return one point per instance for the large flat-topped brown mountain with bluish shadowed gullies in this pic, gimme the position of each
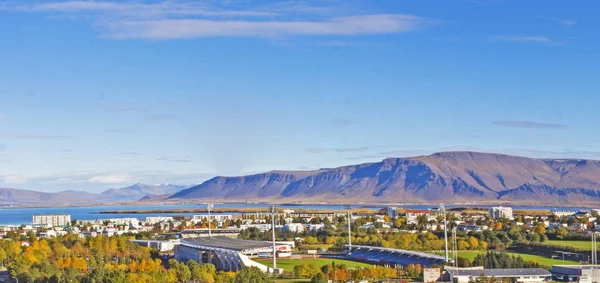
(440, 177)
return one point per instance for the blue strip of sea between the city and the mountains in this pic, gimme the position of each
(15, 216)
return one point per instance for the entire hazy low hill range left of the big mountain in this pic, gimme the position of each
(135, 192)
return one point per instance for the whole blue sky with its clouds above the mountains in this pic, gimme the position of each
(96, 95)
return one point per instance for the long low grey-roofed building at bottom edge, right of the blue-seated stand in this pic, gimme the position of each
(471, 274)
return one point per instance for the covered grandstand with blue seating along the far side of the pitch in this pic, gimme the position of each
(392, 257)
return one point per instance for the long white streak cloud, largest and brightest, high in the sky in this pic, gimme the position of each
(195, 28)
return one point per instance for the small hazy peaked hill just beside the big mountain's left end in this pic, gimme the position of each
(138, 191)
